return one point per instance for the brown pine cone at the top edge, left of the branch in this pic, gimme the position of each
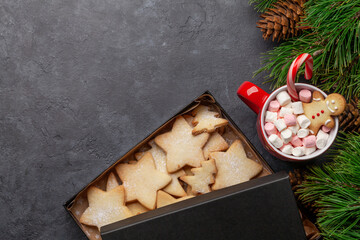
(281, 19)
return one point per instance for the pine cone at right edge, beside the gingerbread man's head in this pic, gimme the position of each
(350, 118)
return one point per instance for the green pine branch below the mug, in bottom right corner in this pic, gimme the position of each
(334, 188)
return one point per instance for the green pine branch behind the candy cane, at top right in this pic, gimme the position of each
(334, 42)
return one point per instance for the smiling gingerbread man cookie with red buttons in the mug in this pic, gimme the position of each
(320, 110)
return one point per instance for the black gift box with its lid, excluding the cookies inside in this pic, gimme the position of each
(262, 208)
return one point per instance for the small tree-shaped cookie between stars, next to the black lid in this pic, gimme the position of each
(202, 178)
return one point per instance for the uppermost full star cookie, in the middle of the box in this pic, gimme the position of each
(181, 146)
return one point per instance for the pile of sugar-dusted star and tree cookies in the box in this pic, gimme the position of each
(192, 158)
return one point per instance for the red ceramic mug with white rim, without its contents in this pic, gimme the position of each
(258, 100)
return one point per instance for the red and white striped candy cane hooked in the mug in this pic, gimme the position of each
(307, 58)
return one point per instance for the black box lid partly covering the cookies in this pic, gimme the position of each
(263, 208)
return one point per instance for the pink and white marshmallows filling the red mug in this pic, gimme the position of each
(287, 126)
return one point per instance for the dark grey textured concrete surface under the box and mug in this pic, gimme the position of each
(81, 82)
